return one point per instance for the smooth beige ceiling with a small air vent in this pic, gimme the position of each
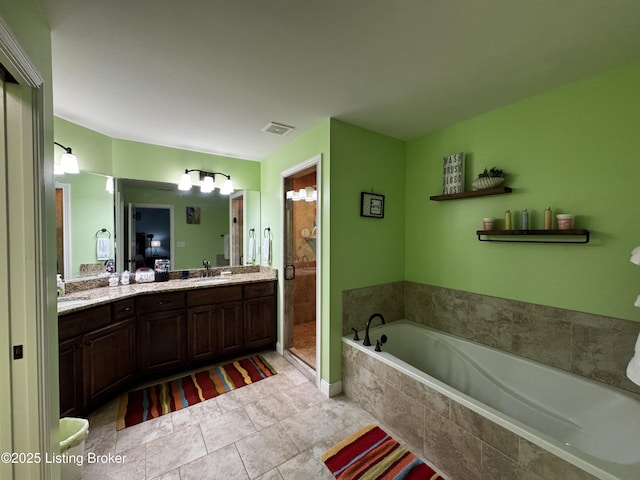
(208, 75)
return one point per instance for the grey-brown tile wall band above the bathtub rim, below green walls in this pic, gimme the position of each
(592, 346)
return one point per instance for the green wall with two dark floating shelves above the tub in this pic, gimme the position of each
(572, 149)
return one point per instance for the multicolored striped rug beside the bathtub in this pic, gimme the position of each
(371, 454)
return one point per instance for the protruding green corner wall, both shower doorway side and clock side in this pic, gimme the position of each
(355, 251)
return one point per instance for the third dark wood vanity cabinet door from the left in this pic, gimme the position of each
(161, 341)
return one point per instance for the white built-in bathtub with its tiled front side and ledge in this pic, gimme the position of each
(489, 414)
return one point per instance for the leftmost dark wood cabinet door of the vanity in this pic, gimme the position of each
(70, 376)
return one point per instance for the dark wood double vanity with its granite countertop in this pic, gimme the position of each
(111, 338)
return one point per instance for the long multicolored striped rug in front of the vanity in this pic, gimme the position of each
(152, 402)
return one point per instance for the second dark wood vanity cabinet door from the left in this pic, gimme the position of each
(108, 360)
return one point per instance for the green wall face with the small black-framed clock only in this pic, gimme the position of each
(364, 251)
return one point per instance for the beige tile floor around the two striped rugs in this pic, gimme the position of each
(275, 429)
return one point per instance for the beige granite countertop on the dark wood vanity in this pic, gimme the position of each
(97, 296)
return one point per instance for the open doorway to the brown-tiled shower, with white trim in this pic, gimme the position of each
(301, 309)
